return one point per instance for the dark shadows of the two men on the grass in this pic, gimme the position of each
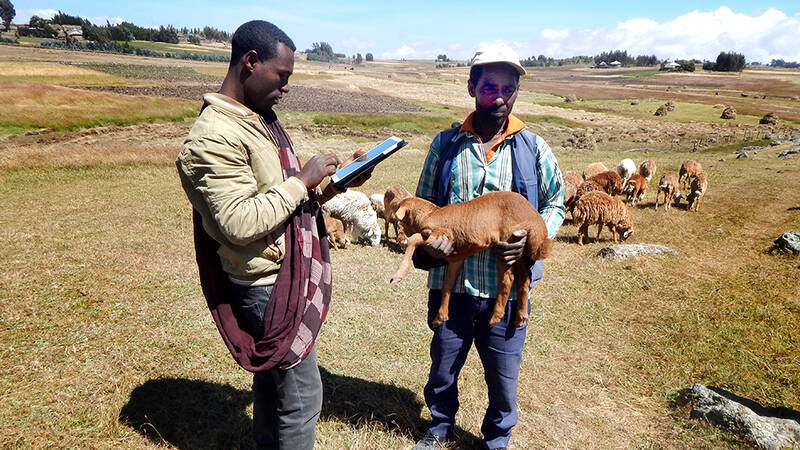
(196, 414)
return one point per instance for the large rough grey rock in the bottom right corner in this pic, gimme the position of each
(729, 411)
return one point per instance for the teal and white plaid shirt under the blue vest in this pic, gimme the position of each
(474, 176)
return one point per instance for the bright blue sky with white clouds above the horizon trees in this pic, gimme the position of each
(424, 29)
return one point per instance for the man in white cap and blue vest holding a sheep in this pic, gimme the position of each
(491, 151)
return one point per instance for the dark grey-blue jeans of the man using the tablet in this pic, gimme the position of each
(286, 403)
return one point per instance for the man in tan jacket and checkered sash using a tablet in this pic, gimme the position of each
(259, 235)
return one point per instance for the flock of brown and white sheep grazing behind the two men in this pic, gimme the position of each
(590, 198)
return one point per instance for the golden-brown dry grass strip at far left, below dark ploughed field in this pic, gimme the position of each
(33, 106)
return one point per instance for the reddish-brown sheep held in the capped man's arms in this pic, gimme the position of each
(474, 226)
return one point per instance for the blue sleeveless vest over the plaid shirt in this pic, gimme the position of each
(525, 180)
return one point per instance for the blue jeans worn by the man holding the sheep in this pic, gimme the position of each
(500, 351)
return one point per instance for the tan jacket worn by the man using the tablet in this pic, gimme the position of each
(230, 169)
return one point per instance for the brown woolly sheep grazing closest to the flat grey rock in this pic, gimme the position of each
(601, 209)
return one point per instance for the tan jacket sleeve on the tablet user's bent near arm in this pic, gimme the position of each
(220, 173)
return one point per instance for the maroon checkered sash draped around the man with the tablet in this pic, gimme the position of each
(300, 298)
